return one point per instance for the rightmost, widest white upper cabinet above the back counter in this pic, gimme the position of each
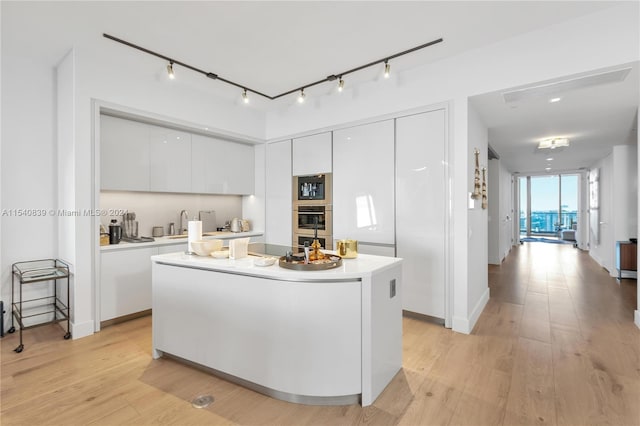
(221, 167)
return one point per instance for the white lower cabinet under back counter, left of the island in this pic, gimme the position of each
(125, 282)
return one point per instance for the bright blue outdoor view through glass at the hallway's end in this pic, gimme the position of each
(554, 204)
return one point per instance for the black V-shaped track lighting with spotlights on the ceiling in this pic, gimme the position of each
(245, 99)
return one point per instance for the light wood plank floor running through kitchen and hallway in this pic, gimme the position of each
(555, 345)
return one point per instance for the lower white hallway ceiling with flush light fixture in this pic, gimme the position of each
(593, 117)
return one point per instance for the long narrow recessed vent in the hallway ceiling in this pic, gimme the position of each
(547, 89)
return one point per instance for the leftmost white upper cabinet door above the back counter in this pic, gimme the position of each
(124, 154)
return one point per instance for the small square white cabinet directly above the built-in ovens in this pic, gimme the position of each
(312, 154)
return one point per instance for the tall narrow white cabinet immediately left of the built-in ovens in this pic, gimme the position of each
(278, 193)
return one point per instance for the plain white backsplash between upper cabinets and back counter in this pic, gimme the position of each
(160, 209)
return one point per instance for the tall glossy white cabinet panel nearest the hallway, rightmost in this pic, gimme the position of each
(421, 208)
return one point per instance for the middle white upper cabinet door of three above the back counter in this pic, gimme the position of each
(170, 160)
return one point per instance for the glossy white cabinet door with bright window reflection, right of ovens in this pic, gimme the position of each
(363, 183)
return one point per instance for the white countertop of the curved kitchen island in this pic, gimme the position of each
(357, 268)
